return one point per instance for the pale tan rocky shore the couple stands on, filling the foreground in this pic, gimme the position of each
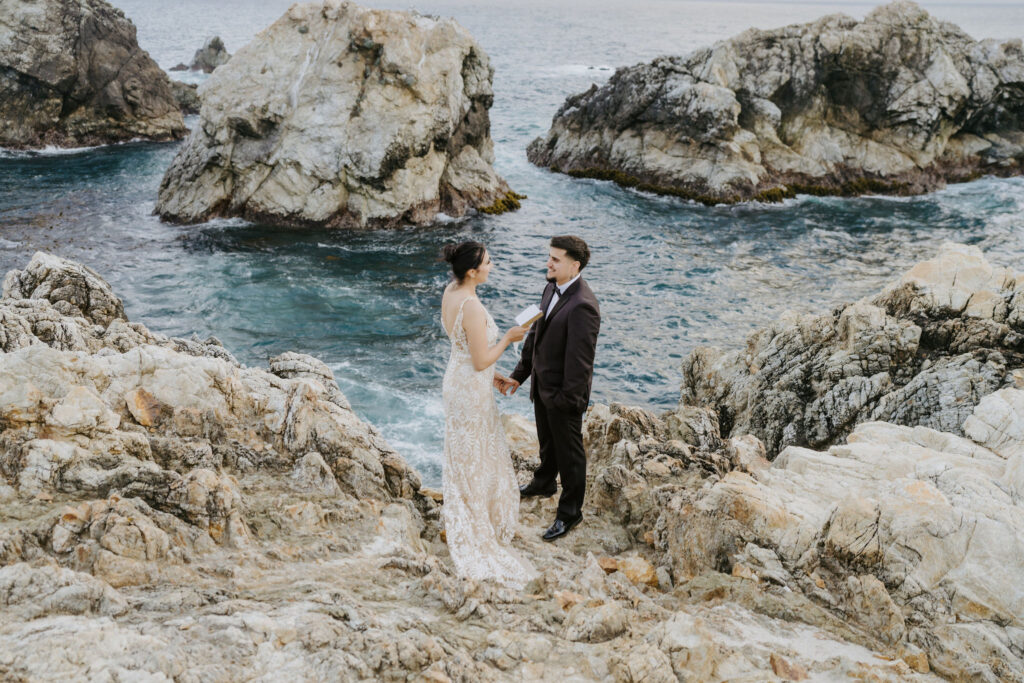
(168, 514)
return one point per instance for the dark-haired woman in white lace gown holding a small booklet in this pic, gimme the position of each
(482, 496)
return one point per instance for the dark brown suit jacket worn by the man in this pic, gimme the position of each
(559, 352)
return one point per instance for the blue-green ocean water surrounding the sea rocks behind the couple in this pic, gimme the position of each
(671, 275)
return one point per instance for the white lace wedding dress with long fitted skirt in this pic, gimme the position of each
(482, 497)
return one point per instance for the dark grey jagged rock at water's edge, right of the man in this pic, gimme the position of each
(922, 353)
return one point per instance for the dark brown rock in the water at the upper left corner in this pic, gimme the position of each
(72, 74)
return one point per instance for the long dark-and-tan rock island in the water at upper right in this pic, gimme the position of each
(900, 103)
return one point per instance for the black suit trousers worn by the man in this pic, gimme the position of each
(563, 455)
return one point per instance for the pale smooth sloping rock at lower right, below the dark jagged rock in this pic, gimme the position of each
(903, 526)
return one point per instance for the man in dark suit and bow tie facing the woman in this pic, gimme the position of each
(559, 357)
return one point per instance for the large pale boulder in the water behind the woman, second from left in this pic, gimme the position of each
(343, 117)
